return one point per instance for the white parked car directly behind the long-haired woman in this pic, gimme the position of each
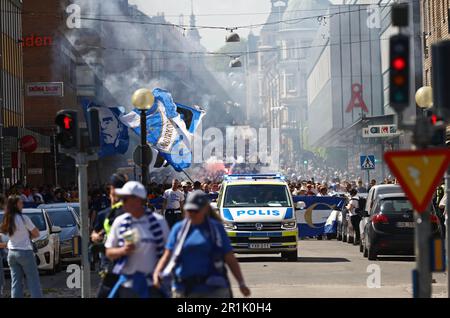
(48, 257)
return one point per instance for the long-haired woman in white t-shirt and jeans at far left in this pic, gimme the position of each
(22, 262)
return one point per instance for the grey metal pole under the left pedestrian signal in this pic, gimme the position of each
(82, 165)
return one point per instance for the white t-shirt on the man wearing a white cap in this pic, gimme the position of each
(144, 258)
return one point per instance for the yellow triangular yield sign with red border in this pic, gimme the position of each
(419, 173)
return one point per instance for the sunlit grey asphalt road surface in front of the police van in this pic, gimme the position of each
(324, 269)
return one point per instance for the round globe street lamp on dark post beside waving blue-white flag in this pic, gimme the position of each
(143, 100)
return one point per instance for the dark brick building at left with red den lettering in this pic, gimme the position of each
(49, 63)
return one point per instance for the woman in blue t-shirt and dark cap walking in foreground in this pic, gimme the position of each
(196, 253)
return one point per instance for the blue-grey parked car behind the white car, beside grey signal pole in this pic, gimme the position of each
(66, 219)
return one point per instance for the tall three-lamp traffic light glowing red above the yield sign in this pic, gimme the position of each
(399, 72)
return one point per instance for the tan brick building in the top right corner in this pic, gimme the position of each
(435, 25)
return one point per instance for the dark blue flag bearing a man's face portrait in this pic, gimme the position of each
(115, 139)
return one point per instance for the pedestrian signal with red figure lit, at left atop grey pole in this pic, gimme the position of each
(68, 133)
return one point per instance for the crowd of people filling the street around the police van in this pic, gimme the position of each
(178, 249)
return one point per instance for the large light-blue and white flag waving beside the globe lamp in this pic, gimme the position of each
(170, 128)
